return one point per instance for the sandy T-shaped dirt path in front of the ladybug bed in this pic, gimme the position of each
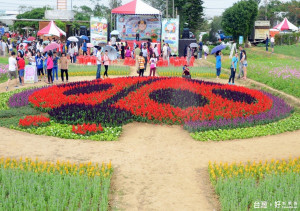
(157, 167)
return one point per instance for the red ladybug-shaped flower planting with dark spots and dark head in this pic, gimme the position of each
(120, 100)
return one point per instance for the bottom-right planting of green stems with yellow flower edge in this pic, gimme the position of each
(270, 185)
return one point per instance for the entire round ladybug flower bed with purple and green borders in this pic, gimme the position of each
(96, 110)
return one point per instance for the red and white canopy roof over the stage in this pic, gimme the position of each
(136, 7)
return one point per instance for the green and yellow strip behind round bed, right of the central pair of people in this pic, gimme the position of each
(200, 72)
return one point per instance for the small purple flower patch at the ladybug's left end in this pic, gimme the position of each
(21, 99)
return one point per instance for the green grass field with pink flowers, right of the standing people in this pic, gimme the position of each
(271, 69)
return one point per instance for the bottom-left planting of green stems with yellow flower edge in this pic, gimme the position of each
(39, 185)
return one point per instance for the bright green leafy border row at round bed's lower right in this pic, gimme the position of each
(289, 124)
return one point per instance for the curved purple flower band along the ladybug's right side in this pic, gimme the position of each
(279, 111)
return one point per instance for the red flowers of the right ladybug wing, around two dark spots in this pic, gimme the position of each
(140, 104)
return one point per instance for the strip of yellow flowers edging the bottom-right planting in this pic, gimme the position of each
(253, 169)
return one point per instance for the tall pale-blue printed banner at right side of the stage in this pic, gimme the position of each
(170, 33)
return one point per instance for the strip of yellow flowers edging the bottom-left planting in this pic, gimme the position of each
(62, 168)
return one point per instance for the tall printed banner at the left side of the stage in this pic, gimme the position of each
(98, 30)
